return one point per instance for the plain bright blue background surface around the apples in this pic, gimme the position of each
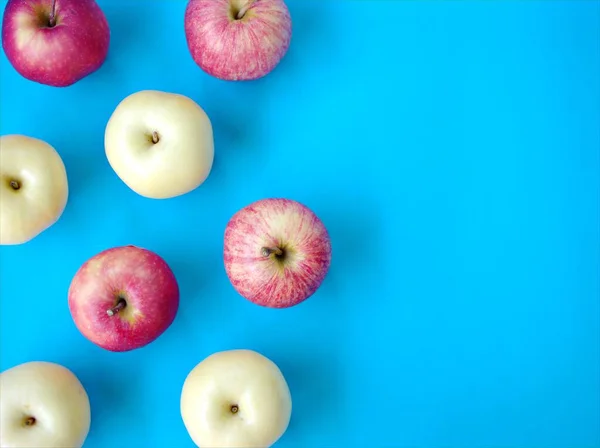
(451, 148)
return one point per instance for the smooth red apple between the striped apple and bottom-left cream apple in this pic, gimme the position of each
(143, 279)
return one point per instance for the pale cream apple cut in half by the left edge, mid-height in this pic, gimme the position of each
(33, 188)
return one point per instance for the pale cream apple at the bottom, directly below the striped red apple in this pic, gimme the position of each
(236, 399)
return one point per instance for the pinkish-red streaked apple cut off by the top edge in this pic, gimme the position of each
(237, 40)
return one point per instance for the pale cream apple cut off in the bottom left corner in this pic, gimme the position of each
(42, 405)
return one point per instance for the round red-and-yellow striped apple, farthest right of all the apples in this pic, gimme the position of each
(277, 252)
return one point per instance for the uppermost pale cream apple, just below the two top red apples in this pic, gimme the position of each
(160, 144)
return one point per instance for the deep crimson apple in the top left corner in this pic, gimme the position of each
(55, 42)
